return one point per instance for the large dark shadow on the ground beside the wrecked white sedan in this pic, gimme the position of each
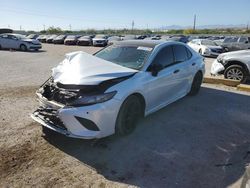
(199, 141)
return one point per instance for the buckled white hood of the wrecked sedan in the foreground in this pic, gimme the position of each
(80, 68)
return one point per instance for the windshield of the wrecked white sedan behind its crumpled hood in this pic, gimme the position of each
(132, 57)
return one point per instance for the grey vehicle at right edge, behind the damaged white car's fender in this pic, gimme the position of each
(236, 43)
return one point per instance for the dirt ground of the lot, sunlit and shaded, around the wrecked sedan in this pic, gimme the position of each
(200, 141)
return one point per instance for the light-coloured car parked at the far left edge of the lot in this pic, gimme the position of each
(18, 42)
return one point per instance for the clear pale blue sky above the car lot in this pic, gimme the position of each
(117, 14)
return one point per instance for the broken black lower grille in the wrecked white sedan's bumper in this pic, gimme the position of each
(50, 116)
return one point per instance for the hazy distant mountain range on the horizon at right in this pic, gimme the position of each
(176, 27)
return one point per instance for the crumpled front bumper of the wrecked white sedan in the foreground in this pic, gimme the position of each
(86, 122)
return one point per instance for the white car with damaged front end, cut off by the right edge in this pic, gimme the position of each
(233, 65)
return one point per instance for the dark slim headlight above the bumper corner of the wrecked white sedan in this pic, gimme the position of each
(93, 99)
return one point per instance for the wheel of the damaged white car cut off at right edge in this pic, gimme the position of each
(236, 72)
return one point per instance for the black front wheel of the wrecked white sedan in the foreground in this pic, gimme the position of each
(128, 116)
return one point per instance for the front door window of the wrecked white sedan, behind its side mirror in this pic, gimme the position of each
(165, 57)
